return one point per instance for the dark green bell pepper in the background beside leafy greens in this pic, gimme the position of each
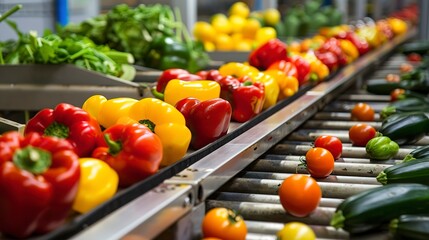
(166, 52)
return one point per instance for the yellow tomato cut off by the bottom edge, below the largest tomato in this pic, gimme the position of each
(296, 231)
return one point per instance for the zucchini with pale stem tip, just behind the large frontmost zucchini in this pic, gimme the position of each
(416, 171)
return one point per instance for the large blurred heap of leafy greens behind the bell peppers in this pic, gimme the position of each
(153, 34)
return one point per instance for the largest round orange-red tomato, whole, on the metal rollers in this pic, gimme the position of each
(299, 194)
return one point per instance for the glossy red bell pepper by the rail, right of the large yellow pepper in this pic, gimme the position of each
(208, 120)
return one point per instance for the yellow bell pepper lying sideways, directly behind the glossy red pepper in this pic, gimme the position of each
(203, 90)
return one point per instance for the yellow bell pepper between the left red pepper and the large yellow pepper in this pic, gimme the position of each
(107, 112)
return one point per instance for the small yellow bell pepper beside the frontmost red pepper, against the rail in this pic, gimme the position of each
(98, 183)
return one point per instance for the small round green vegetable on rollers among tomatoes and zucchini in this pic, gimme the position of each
(381, 148)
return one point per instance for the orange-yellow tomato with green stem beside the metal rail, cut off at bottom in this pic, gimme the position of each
(223, 223)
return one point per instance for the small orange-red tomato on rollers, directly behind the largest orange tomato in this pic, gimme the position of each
(320, 162)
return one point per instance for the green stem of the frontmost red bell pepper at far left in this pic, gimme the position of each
(32, 159)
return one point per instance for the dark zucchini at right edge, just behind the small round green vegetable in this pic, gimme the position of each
(405, 128)
